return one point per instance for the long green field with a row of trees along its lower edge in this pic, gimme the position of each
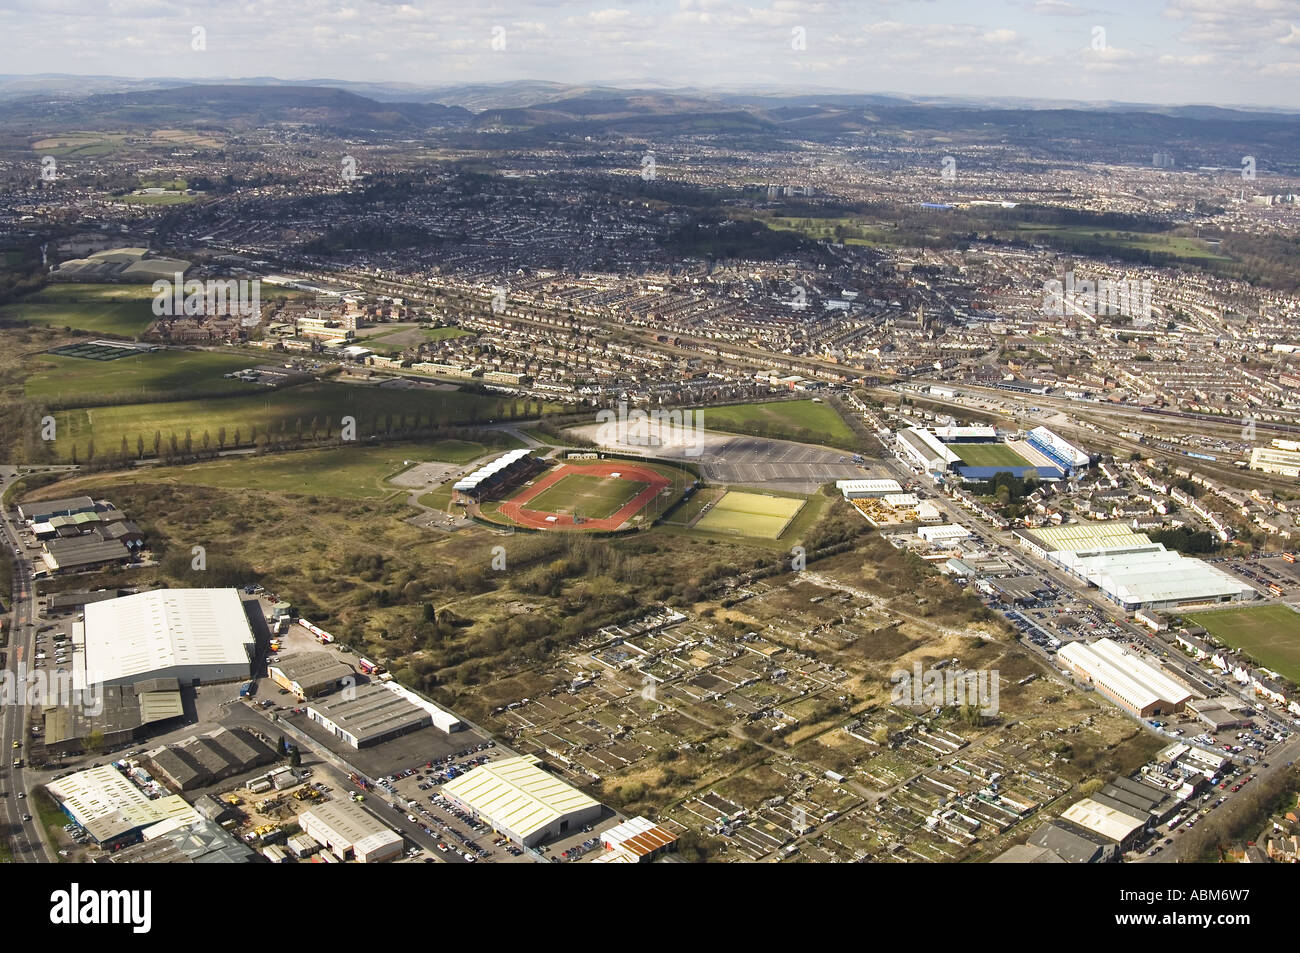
(280, 411)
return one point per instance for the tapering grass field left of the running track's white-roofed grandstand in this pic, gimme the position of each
(358, 473)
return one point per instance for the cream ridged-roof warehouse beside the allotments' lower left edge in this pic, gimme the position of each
(522, 802)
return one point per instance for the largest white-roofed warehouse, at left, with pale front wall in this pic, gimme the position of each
(196, 636)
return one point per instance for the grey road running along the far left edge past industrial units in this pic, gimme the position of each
(27, 841)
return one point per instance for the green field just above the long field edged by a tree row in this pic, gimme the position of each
(140, 375)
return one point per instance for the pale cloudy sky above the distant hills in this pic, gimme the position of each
(1232, 53)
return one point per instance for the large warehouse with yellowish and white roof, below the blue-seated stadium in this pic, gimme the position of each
(1130, 570)
